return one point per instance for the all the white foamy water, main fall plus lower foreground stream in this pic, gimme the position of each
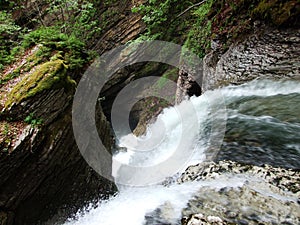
(190, 127)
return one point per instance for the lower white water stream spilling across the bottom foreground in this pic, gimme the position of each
(131, 205)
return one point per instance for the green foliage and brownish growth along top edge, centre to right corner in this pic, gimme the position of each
(225, 20)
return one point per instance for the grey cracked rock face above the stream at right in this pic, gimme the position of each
(269, 53)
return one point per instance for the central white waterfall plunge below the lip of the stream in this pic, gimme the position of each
(171, 135)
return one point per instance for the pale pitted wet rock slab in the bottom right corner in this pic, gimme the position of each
(254, 195)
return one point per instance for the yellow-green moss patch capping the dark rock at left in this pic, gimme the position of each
(50, 75)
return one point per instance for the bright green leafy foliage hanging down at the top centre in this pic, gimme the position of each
(161, 18)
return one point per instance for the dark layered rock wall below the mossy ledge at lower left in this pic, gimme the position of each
(41, 166)
